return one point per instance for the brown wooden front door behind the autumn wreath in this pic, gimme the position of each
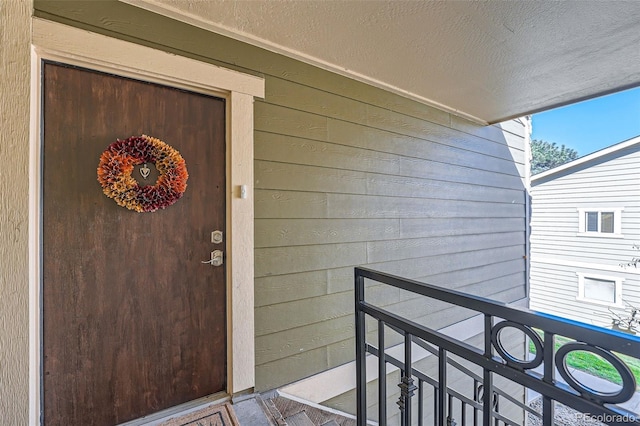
(133, 321)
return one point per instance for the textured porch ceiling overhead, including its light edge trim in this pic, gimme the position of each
(488, 61)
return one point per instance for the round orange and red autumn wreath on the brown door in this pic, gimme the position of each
(117, 163)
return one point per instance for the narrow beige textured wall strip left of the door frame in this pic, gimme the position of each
(14, 187)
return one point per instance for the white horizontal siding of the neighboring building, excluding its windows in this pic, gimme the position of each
(559, 252)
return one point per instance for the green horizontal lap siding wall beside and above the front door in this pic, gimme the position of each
(347, 175)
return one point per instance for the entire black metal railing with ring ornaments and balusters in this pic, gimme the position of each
(449, 406)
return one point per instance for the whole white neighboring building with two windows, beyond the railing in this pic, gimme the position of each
(585, 222)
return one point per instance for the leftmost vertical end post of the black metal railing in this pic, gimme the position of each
(361, 373)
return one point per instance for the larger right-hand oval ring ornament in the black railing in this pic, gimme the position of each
(628, 380)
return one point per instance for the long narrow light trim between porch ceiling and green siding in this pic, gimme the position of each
(181, 15)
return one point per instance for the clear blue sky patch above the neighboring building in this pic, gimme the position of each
(591, 125)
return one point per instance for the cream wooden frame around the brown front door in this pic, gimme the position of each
(62, 43)
